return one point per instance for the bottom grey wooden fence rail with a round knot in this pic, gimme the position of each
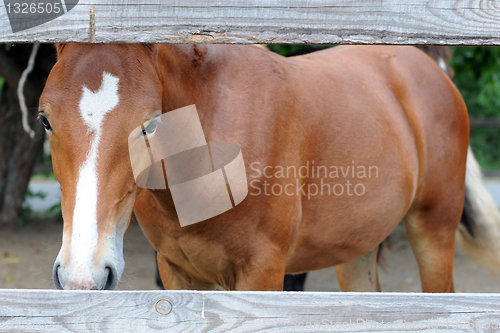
(218, 311)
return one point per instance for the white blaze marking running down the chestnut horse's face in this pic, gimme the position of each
(93, 108)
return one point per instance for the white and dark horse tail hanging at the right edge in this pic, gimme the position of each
(478, 234)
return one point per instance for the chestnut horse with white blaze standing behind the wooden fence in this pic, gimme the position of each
(384, 124)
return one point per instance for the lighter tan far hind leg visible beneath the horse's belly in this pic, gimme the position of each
(360, 274)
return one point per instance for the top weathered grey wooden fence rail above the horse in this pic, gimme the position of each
(451, 22)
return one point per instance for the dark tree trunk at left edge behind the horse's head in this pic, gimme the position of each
(18, 151)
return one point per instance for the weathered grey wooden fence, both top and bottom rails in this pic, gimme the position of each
(443, 22)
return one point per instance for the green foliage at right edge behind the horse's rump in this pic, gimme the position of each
(477, 76)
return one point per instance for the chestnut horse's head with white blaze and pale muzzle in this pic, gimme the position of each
(94, 97)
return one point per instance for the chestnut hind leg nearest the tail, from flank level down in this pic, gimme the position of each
(433, 243)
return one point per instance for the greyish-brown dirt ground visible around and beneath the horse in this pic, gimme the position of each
(27, 255)
